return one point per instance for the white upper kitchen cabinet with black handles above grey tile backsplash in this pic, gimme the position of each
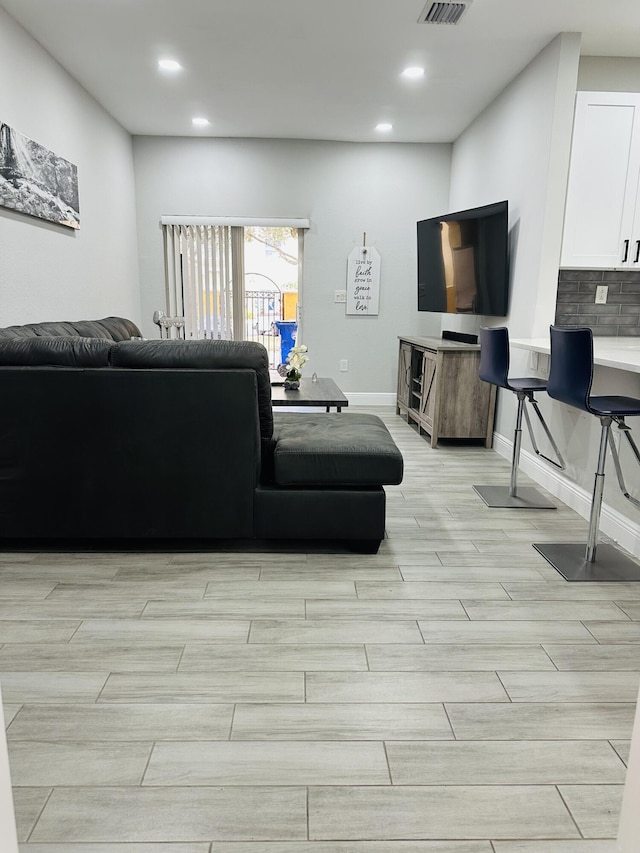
(603, 181)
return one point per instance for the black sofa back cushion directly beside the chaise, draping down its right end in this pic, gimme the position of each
(203, 355)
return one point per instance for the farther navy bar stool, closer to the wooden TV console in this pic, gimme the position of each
(494, 368)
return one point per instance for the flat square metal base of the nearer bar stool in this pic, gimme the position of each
(569, 559)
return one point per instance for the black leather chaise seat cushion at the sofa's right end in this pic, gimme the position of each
(328, 449)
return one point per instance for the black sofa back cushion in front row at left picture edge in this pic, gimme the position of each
(55, 351)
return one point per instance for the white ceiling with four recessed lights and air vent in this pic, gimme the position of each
(312, 69)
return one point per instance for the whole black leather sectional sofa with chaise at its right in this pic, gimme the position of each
(105, 439)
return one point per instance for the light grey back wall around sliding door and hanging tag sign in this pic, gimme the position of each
(345, 189)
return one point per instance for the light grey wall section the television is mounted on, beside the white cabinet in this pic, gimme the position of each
(518, 149)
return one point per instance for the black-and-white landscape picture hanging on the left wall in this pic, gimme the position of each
(35, 181)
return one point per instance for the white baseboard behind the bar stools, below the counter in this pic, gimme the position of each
(612, 522)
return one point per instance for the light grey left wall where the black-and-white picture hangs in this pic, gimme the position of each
(48, 272)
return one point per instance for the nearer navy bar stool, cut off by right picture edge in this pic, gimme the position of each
(570, 381)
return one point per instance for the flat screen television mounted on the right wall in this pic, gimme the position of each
(463, 265)
